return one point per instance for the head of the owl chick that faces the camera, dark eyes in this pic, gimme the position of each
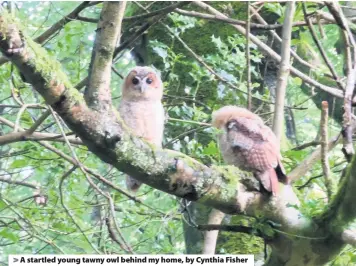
(142, 83)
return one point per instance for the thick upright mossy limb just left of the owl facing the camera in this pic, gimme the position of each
(97, 93)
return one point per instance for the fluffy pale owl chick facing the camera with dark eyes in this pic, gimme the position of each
(141, 108)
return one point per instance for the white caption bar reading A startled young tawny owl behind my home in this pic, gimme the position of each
(130, 260)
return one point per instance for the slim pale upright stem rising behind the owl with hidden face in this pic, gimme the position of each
(278, 118)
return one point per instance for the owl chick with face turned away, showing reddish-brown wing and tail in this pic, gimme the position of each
(246, 142)
